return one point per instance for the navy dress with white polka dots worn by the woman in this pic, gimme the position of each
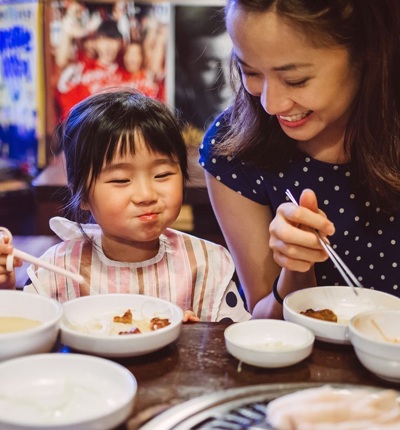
(366, 238)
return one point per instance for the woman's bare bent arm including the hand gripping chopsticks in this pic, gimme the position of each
(263, 248)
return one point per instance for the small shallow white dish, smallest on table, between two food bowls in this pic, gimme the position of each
(268, 342)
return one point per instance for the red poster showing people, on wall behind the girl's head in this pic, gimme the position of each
(99, 45)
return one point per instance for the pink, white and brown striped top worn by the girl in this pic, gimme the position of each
(193, 273)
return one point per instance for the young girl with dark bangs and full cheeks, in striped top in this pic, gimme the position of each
(126, 166)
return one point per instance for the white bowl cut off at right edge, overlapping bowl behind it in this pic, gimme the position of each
(375, 336)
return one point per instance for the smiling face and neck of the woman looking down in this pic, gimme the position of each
(309, 89)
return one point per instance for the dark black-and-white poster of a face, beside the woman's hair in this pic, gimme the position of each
(202, 56)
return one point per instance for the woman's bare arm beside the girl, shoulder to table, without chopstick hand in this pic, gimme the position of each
(245, 225)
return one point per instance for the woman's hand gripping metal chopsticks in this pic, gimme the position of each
(294, 244)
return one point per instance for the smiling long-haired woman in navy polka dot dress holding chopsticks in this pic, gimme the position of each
(317, 106)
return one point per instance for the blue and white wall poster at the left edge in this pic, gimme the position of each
(21, 85)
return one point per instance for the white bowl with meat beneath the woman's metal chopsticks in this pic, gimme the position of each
(342, 301)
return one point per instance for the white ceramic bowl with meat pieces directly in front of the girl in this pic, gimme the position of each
(83, 312)
